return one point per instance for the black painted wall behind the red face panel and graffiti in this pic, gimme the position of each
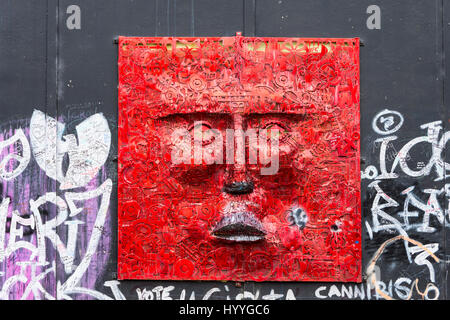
(73, 74)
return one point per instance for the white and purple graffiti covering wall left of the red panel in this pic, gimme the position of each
(34, 243)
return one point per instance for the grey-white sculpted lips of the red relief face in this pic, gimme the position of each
(239, 227)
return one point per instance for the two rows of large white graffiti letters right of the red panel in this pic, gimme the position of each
(417, 213)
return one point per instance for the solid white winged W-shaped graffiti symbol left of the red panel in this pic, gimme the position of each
(85, 157)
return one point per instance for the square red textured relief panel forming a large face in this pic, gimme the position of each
(307, 88)
